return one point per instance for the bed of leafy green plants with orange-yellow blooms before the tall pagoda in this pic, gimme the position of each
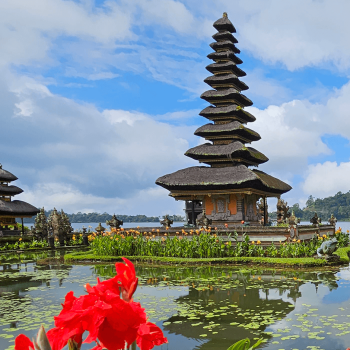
(200, 244)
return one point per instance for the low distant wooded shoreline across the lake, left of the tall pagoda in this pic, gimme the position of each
(97, 217)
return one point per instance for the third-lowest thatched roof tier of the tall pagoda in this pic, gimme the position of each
(233, 128)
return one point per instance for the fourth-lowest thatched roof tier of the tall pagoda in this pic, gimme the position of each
(229, 112)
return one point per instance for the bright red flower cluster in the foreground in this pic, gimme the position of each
(107, 312)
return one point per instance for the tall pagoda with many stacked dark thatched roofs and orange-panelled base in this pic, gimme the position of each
(226, 189)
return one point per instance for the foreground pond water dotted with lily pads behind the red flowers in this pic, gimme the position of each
(206, 308)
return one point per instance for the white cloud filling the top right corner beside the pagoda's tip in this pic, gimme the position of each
(297, 33)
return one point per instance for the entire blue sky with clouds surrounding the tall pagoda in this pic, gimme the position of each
(100, 98)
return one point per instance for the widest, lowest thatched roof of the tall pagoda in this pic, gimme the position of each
(226, 178)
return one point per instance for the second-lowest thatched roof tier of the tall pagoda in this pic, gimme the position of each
(233, 150)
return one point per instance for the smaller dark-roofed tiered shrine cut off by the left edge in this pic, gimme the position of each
(10, 210)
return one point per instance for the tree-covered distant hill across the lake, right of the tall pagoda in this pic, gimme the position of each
(339, 205)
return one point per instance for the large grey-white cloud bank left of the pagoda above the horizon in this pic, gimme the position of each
(81, 155)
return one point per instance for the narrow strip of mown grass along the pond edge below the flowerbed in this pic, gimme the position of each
(89, 256)
